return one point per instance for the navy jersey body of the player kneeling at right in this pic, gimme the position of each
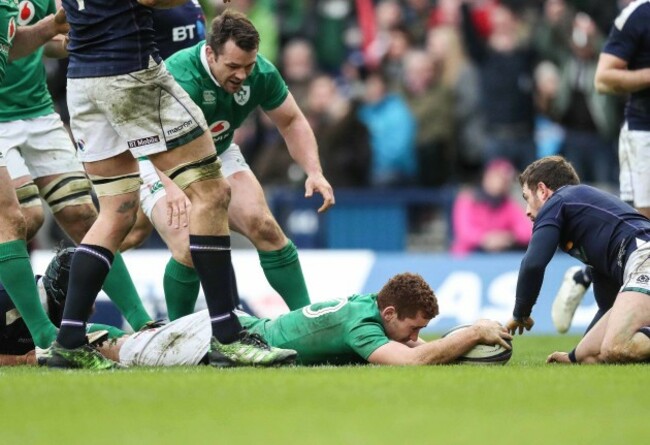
(595, 227)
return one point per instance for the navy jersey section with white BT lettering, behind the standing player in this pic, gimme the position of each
(178, 28)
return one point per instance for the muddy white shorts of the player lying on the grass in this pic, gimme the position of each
(182, 342)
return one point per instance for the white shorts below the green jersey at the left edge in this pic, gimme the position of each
(38, 147)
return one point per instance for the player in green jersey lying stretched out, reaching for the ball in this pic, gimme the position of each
(378, 328)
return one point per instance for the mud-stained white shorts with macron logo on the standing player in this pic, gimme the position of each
(145, 112)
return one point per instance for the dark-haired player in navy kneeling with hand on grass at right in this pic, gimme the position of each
(604, 233)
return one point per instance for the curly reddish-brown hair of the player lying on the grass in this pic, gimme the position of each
(409, 294)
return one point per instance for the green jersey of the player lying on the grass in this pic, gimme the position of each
(337, 332)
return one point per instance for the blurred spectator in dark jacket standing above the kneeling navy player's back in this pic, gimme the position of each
(591, 120)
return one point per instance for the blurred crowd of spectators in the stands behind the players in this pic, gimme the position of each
(425, 93)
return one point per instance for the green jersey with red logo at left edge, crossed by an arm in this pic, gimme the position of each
(24, 93)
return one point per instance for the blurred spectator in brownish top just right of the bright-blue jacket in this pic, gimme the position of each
(432, 105)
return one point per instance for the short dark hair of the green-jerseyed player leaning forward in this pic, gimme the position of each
(233, 25)
